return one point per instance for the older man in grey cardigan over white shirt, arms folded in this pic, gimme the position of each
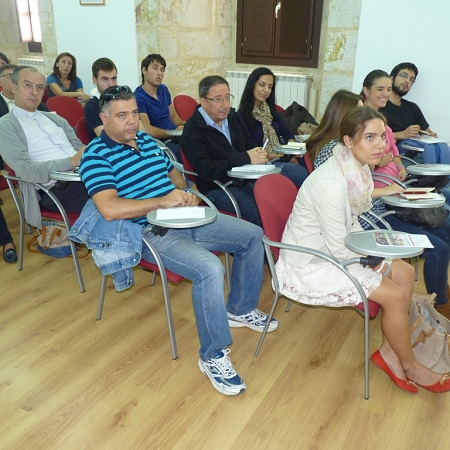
(33, 143)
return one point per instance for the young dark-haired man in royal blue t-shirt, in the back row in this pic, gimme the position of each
(155, 105)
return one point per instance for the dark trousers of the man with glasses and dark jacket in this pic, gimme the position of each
(244, 198)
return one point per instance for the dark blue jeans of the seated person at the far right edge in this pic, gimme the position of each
(436, 259)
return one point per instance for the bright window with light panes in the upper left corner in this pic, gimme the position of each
(29, 25)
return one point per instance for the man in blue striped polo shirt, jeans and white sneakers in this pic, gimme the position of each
(127, 176)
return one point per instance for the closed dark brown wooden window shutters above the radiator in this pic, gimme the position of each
(281, 32)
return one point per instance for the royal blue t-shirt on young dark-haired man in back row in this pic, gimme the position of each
(156, 110)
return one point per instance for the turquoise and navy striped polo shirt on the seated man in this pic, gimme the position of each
(142, 174)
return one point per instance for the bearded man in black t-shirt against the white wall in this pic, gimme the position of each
(404, 117)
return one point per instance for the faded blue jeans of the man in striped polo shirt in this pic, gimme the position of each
(187, 252)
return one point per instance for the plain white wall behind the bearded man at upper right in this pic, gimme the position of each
(394, 31)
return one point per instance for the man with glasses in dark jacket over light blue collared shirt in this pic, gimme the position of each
(214, 141)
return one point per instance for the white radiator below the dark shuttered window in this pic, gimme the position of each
(289, 88)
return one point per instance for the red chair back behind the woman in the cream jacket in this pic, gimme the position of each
(275, 196)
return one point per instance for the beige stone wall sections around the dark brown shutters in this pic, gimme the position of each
(198, 38)
